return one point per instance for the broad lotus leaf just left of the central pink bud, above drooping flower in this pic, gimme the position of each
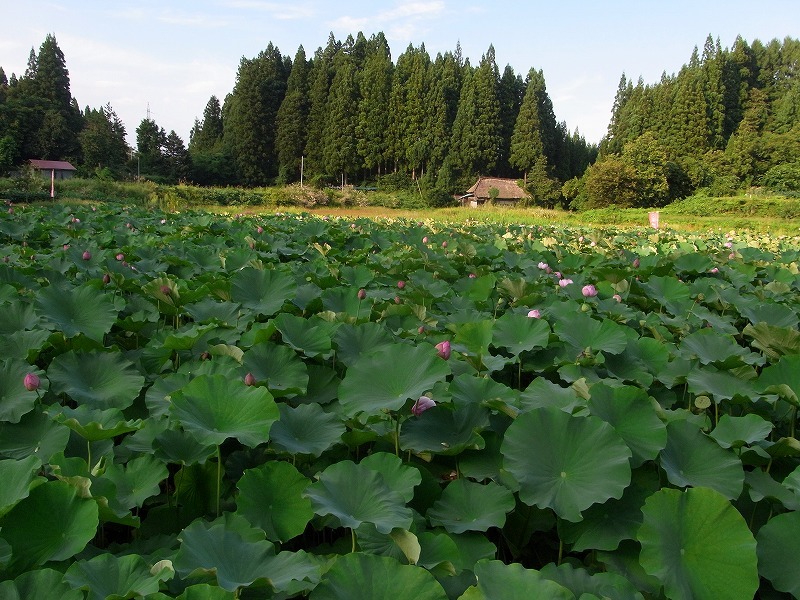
(387, 378)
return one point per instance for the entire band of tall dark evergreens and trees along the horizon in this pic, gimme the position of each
(728, 120)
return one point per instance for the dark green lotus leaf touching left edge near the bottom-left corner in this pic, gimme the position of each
(52, 523)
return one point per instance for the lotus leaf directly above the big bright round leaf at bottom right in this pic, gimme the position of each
(691, 458)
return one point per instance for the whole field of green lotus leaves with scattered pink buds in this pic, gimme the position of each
(289, 406)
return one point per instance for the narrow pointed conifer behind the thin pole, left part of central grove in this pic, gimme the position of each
(291, 119)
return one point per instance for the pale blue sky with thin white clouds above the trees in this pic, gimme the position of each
(174, 54)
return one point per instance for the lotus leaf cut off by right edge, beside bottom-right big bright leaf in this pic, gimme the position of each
(778, 540)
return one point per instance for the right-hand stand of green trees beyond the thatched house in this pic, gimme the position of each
(728, 121)
